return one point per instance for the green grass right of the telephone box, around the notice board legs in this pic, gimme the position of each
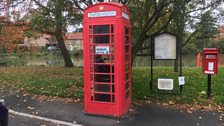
(195, 87)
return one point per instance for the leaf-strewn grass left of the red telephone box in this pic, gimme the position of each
(49, 81)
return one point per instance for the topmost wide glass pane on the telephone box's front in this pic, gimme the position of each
(100, 29)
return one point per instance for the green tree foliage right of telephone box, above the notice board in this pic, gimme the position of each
(177, 16)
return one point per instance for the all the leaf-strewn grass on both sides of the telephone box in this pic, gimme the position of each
(68, 83)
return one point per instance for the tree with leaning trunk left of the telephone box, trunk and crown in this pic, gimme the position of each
(48, 16)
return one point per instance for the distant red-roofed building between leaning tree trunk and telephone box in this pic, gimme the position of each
(74, 41)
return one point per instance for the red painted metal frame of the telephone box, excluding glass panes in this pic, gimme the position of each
(122, 60)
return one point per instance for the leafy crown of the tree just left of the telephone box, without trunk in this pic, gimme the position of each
(44, 18)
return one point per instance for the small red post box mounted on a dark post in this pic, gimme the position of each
(210, 60)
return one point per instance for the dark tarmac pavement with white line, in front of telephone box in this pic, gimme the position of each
(26, 111)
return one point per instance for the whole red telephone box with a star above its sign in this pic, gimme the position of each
(107, 59)
